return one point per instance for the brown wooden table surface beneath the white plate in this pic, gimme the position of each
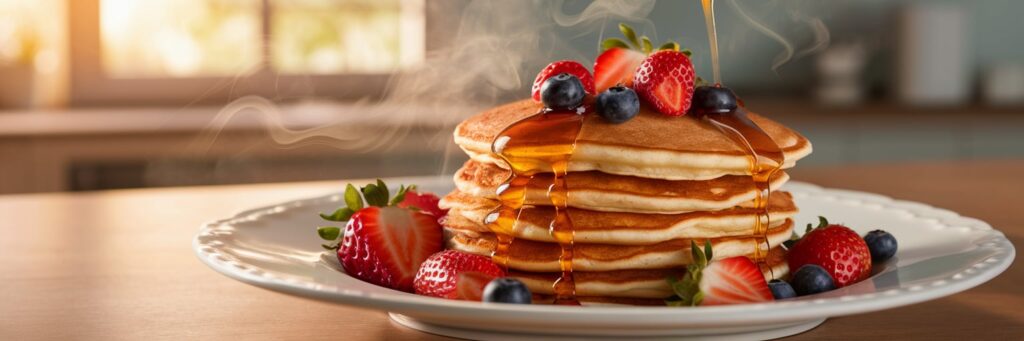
(119, 266)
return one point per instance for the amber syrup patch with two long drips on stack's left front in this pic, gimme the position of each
(540, 144)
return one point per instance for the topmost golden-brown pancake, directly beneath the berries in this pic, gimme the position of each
(650, 146)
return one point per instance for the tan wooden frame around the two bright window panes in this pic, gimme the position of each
(91, 87)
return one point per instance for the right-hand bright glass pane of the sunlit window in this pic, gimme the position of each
(355, 36)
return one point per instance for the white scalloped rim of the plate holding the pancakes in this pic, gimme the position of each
(784, 312)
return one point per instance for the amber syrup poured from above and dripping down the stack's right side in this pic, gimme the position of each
(765, 156)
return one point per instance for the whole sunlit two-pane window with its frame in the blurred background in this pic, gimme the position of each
(182, 52)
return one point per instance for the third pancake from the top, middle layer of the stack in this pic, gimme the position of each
(468, 214)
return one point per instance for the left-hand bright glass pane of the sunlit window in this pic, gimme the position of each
(180, 38)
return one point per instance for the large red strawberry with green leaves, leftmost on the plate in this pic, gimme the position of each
(382, 244)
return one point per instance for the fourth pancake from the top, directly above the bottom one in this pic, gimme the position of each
(537, 257)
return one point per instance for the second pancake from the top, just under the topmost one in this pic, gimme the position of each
(603, 192)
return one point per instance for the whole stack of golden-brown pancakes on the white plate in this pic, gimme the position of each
(638, 194)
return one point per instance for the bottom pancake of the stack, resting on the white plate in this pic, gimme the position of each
(632, 284)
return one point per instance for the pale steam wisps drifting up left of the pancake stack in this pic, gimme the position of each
(494, 53)
